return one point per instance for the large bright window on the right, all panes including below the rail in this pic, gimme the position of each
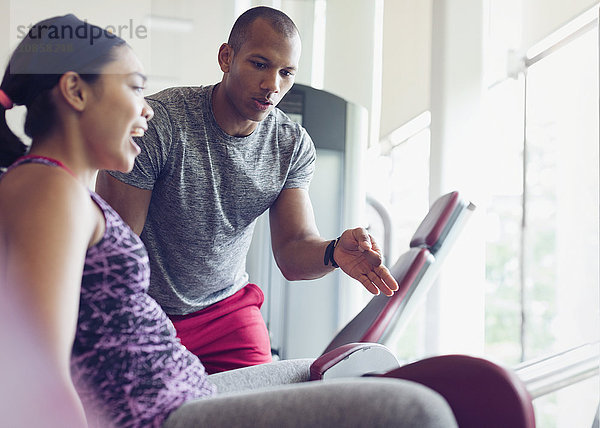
(542, 256)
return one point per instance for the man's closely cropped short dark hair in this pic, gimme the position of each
(278, 20)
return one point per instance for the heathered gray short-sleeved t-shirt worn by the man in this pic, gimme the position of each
(208, 189)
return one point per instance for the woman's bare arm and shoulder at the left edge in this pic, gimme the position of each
(48, 222)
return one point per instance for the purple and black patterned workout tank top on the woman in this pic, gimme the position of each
(127, 365)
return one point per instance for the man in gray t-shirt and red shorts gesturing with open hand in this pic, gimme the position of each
(213, 160)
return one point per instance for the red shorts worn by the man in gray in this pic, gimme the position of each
(229, 334)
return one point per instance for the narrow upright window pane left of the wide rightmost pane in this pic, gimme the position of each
(504, 148)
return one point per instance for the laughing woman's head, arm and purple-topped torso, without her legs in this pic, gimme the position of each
(84, 105)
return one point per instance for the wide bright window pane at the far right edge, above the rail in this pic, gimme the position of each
(561, 220)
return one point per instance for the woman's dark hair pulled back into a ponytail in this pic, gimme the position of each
(50, 49)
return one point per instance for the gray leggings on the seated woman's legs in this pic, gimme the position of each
(278, 395)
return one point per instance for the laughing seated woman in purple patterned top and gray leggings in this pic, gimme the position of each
(77, 275)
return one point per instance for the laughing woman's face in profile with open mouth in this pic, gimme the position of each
(117, 112)
